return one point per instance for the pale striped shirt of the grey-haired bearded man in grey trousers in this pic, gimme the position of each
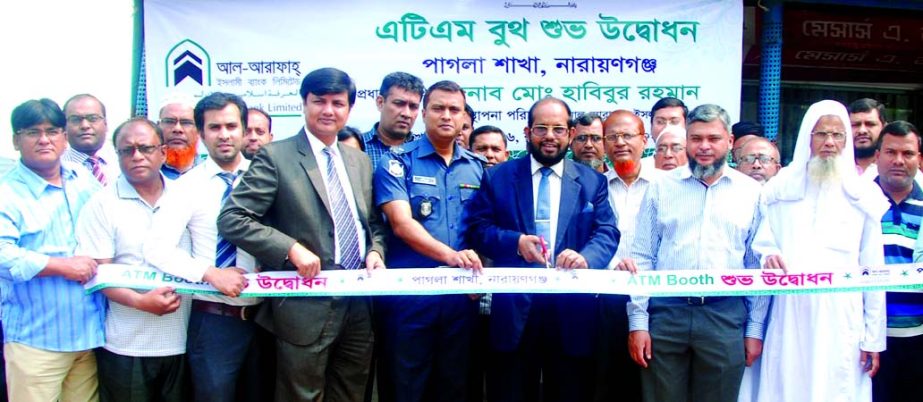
(685, 224)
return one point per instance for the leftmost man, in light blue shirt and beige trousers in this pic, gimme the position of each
(51, 326)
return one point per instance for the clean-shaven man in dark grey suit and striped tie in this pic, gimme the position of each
(306, 205)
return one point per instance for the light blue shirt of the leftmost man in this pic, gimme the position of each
(37, 222)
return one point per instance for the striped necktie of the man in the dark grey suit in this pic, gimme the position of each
(343, 222)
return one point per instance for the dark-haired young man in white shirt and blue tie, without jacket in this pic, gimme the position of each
(220, 331)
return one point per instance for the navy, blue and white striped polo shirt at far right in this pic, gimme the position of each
(900, 225)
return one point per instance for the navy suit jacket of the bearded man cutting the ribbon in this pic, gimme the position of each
(503, 210)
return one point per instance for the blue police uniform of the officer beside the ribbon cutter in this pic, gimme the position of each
(426, 338)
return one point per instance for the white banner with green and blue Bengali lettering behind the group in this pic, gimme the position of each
(599, 56)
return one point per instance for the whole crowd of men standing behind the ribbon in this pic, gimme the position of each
(593, 192)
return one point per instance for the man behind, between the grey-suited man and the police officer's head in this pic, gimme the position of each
(399, 103)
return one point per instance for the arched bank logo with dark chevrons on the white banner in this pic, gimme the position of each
(187, 64)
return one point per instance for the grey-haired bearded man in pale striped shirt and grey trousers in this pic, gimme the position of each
(702, 217)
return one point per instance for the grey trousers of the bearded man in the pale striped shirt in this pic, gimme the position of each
(698, 350)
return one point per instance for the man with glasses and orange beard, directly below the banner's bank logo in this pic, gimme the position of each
(181, 136)
